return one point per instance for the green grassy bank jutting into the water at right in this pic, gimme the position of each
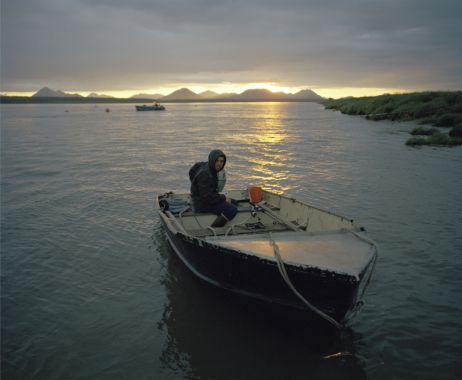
(441, 109)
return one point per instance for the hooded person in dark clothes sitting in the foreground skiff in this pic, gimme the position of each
(205, 194)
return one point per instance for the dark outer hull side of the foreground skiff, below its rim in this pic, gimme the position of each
(335, 294)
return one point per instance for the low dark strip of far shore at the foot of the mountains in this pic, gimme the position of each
(70, 100)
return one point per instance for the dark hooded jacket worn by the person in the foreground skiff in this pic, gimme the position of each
(204, 182)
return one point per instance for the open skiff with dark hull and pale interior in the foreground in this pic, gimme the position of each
(281, 251)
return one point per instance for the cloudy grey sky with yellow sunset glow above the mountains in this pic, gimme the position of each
(334, 47)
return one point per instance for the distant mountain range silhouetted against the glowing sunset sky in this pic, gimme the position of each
(185, 94)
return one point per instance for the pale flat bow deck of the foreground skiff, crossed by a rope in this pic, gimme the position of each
(340, 252)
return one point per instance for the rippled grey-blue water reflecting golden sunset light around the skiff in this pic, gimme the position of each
(91, 290)
